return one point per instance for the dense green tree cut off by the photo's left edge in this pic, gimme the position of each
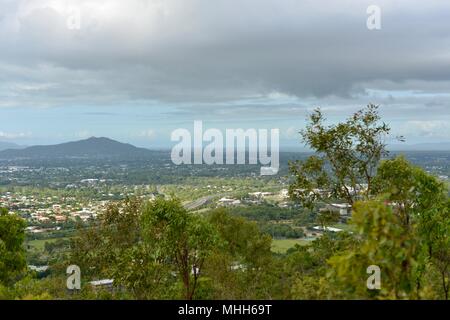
(12, 252)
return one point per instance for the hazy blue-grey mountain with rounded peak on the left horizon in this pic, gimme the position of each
(92, 148)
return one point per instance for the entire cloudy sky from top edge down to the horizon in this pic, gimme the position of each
(135, 70)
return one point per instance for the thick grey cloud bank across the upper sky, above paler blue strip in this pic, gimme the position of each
(215, 51)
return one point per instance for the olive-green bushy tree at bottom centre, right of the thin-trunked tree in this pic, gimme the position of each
(242, 267)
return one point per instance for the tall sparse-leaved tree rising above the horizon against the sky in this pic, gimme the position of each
(347, 155)
